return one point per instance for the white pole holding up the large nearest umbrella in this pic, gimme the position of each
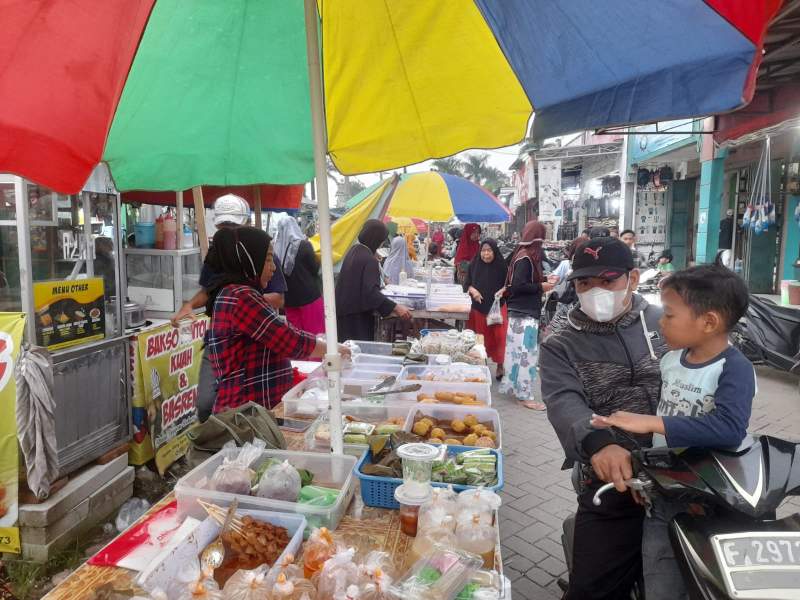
(333, 364)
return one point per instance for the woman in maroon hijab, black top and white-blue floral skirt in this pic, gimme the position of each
(525, 284)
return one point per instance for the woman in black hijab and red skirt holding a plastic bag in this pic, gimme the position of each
(486, 277)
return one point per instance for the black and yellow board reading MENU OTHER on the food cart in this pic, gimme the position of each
(69, 312)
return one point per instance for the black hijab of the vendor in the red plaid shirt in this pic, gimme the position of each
(237, 256)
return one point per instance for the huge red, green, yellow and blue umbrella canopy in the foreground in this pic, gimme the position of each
(173, 94)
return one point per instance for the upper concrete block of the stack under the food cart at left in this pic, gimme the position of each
(80, 487)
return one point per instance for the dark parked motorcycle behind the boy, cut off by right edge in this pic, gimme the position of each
(769, 334)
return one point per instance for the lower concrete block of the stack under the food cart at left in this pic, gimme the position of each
(104, 506)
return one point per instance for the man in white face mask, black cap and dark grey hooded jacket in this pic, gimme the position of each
(602, 356)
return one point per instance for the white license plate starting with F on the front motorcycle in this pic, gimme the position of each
(760, 565)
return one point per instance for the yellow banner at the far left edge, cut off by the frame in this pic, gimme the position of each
(12, 326)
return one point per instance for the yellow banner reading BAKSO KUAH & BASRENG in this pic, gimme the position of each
(167, 371)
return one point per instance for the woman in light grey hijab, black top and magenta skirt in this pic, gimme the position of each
(303, 301)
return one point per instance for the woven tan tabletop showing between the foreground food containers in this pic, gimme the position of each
(380, 528)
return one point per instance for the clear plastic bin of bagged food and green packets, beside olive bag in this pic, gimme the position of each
(329, 470)
